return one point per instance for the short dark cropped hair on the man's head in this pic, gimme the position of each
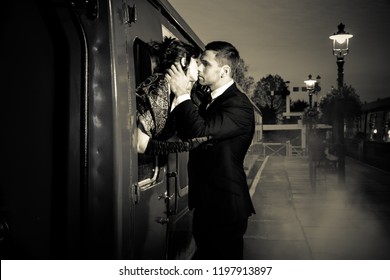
(226, 53)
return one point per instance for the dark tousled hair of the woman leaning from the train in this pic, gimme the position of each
(171, 50)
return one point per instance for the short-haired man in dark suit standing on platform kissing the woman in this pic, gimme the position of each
(218, 191)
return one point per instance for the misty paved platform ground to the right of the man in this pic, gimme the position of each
(294, 221)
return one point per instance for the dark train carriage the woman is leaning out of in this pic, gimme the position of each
(73, 185)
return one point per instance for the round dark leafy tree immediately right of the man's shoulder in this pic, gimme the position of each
(270, 96)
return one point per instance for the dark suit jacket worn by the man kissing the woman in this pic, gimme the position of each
(217, 181)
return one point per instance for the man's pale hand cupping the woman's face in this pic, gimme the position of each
(178, 81)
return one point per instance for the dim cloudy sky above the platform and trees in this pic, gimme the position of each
(291, 38)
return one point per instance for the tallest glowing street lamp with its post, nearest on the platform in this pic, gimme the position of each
(340, 49)
